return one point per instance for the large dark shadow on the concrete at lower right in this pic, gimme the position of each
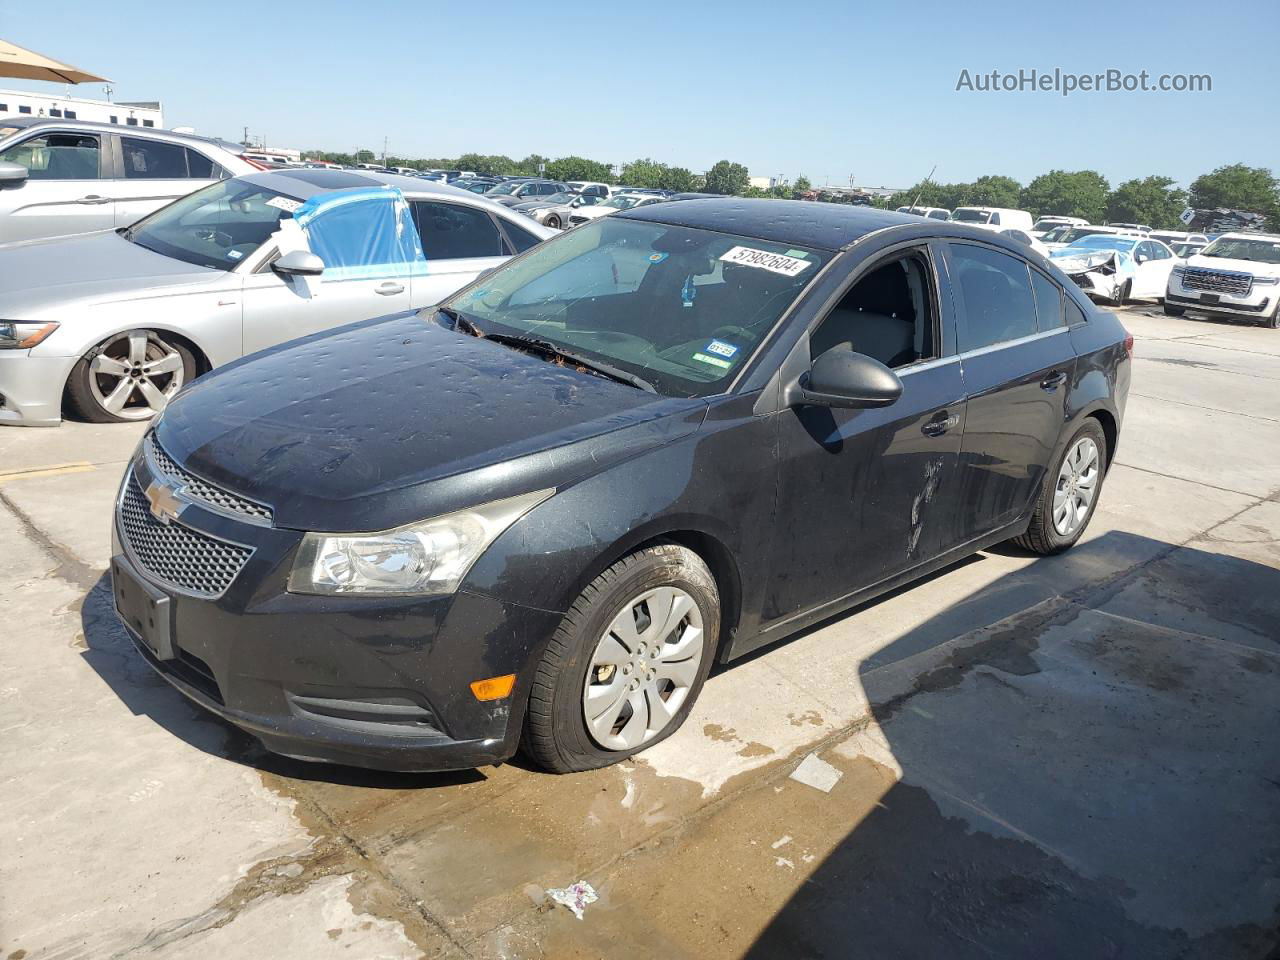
(1095, 778)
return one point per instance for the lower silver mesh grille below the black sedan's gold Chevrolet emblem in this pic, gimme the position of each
(177, 555)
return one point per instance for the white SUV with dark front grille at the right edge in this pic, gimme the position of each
(1236, 276)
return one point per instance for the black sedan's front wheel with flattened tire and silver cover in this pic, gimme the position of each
(628, 662)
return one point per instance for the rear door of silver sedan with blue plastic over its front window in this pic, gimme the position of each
(460, 244)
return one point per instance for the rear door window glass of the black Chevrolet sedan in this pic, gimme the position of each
(996, 292)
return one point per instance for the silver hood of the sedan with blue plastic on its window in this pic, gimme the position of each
(92, 267)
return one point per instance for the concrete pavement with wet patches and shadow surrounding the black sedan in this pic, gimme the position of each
(1072, 757)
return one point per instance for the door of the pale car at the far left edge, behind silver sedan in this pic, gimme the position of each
(66, 190)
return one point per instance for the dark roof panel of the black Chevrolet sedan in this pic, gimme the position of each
(798, 222)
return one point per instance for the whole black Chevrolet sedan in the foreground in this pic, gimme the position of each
(536, 516)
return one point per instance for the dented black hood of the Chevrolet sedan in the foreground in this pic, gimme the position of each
(397, 419)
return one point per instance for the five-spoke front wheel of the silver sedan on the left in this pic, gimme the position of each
(130, 377)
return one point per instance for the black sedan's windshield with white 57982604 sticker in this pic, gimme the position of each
(679, 308)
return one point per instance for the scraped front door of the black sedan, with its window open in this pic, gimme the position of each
(865, 495)
